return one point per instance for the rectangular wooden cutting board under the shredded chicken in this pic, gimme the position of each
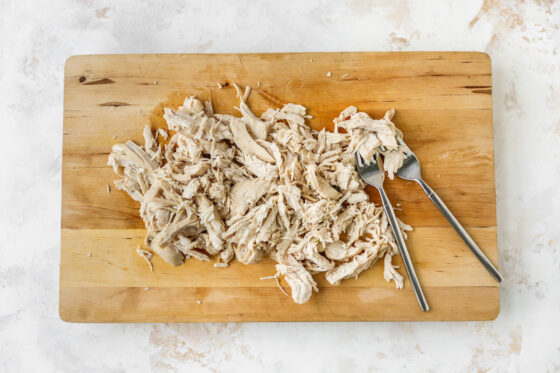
(443, 105)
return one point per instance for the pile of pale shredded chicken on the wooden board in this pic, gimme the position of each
(248, 187)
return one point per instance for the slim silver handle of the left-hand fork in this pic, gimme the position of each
(403, 250)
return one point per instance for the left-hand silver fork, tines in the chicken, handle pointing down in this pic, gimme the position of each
(372, 173)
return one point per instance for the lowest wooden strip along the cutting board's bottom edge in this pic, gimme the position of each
(214, 304)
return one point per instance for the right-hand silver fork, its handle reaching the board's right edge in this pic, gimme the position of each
(410, 170)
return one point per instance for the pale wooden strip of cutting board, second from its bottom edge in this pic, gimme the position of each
(108, 264)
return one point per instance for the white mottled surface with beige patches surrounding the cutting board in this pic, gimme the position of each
(523, 39)
